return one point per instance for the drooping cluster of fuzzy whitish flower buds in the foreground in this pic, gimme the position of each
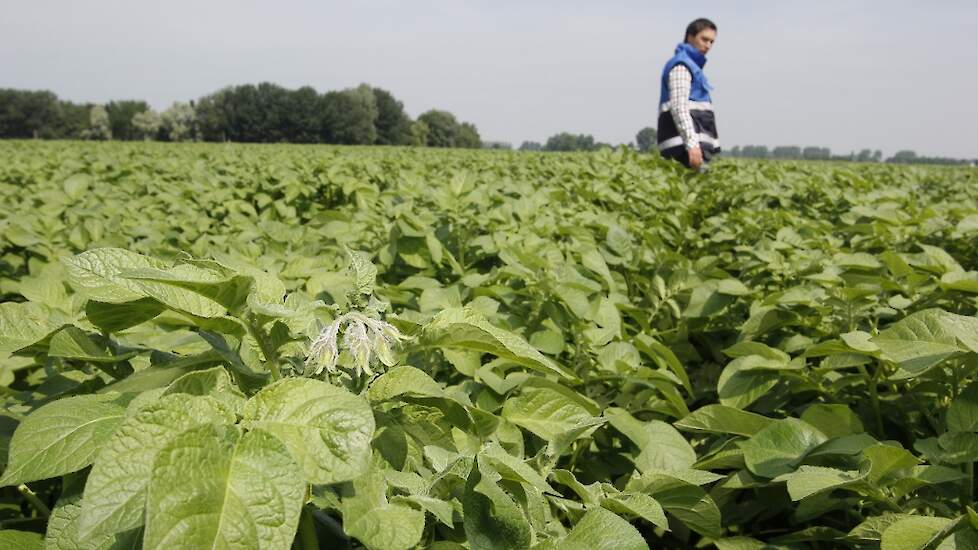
(364, 338)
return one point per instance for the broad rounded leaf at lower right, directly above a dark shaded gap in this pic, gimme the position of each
(779, 447)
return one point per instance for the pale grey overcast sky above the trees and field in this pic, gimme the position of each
(842, 74)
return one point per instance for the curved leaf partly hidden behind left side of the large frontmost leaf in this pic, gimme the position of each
(115, 493)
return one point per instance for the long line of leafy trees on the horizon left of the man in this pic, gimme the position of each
(264, 113)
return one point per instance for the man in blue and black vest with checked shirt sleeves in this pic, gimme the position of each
(687, 130)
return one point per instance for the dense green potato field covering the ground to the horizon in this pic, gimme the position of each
(246, 346)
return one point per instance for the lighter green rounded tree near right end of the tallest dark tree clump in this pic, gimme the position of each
(349, 116)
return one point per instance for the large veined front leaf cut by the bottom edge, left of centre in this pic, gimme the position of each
(213, 487)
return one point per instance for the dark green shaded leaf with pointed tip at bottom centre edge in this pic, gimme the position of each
(492, 519)
